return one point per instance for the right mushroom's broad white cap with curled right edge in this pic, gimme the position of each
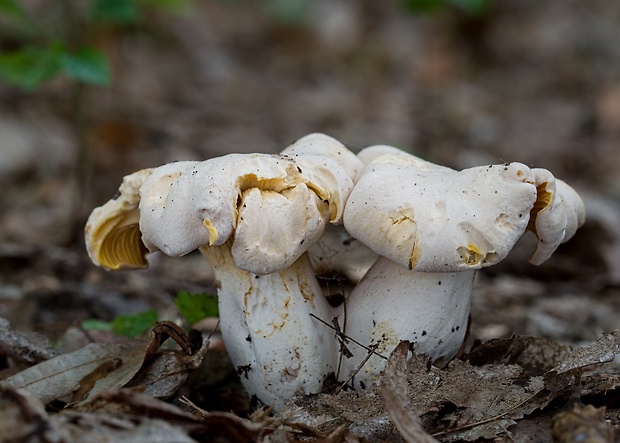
(432, 218)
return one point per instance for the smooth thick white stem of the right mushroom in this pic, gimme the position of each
(434, 309)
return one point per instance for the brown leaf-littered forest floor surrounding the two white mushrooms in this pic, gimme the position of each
(528, 81)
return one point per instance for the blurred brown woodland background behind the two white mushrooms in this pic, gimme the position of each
(93, 90)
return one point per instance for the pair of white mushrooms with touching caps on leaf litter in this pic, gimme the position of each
(410, 233)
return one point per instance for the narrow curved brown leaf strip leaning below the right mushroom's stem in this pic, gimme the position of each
(395, 395)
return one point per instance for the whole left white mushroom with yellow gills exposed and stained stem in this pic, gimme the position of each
(253, 217)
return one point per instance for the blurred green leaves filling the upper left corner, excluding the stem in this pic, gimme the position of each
(48, 50)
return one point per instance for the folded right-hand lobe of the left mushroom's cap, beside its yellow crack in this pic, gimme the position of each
(276, 228)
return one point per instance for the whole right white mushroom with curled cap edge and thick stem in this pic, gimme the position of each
(433, 227)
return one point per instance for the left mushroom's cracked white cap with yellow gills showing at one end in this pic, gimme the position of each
(273, 206)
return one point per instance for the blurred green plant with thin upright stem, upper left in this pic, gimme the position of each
(44, 40)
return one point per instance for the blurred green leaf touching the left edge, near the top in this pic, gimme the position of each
(30, 67)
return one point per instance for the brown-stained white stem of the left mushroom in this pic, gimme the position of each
(279, 350)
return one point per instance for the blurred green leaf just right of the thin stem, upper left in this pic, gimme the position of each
(87, 65)
